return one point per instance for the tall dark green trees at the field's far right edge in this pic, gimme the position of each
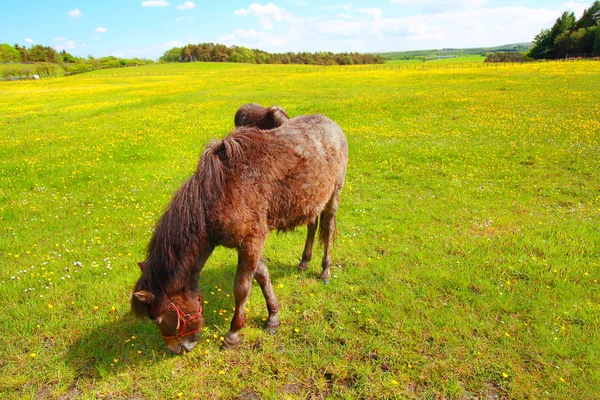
(570, 36)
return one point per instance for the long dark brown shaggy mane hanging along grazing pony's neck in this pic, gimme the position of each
(173, 248)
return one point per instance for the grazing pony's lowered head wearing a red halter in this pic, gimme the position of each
(178, 315)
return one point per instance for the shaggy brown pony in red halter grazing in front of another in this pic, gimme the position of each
(246, 185)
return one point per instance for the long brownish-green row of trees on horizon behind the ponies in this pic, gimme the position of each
(211, 52)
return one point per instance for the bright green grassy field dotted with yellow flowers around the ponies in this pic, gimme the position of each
(467, 259)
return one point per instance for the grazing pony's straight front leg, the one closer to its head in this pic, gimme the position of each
(248, 260)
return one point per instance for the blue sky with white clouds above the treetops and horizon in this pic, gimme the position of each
(147, 28)
